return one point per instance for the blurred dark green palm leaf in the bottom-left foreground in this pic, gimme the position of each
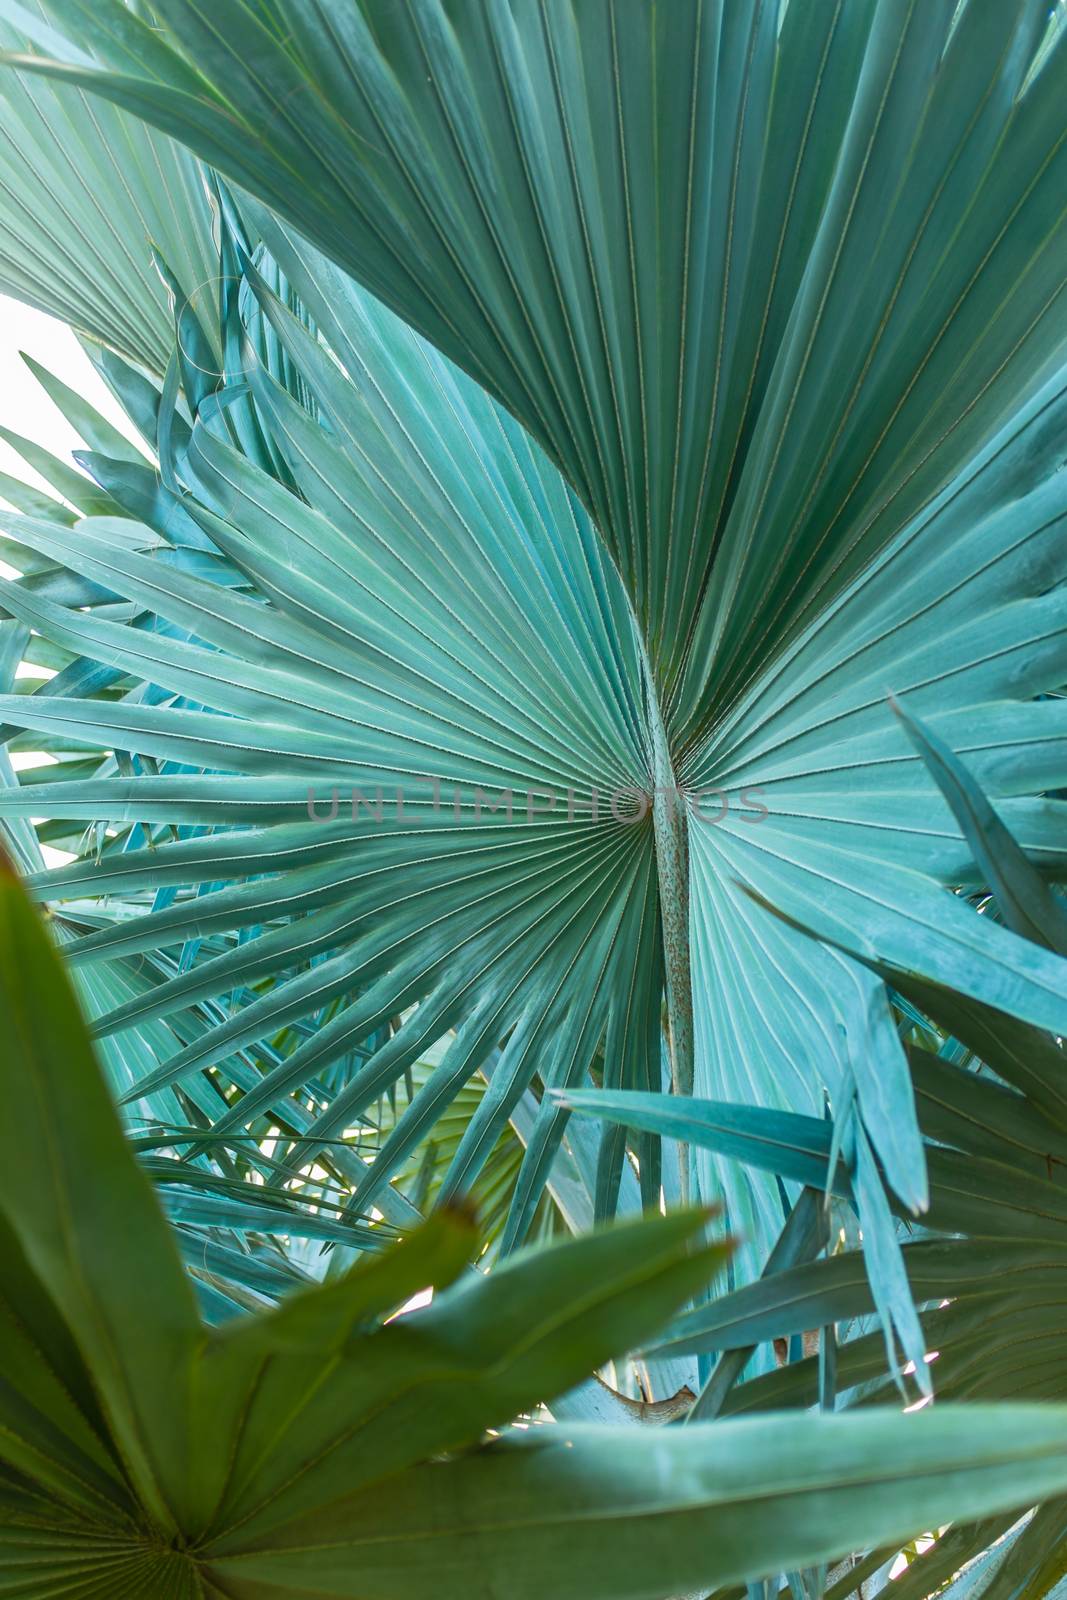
(300, 1452)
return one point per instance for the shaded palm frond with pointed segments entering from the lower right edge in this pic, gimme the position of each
(989, 1266)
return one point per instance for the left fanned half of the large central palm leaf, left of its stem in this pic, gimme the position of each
(465, 870)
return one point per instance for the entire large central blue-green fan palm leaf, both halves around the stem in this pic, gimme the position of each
(812, 410)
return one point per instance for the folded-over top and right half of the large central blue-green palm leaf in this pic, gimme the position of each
(780, 446)
